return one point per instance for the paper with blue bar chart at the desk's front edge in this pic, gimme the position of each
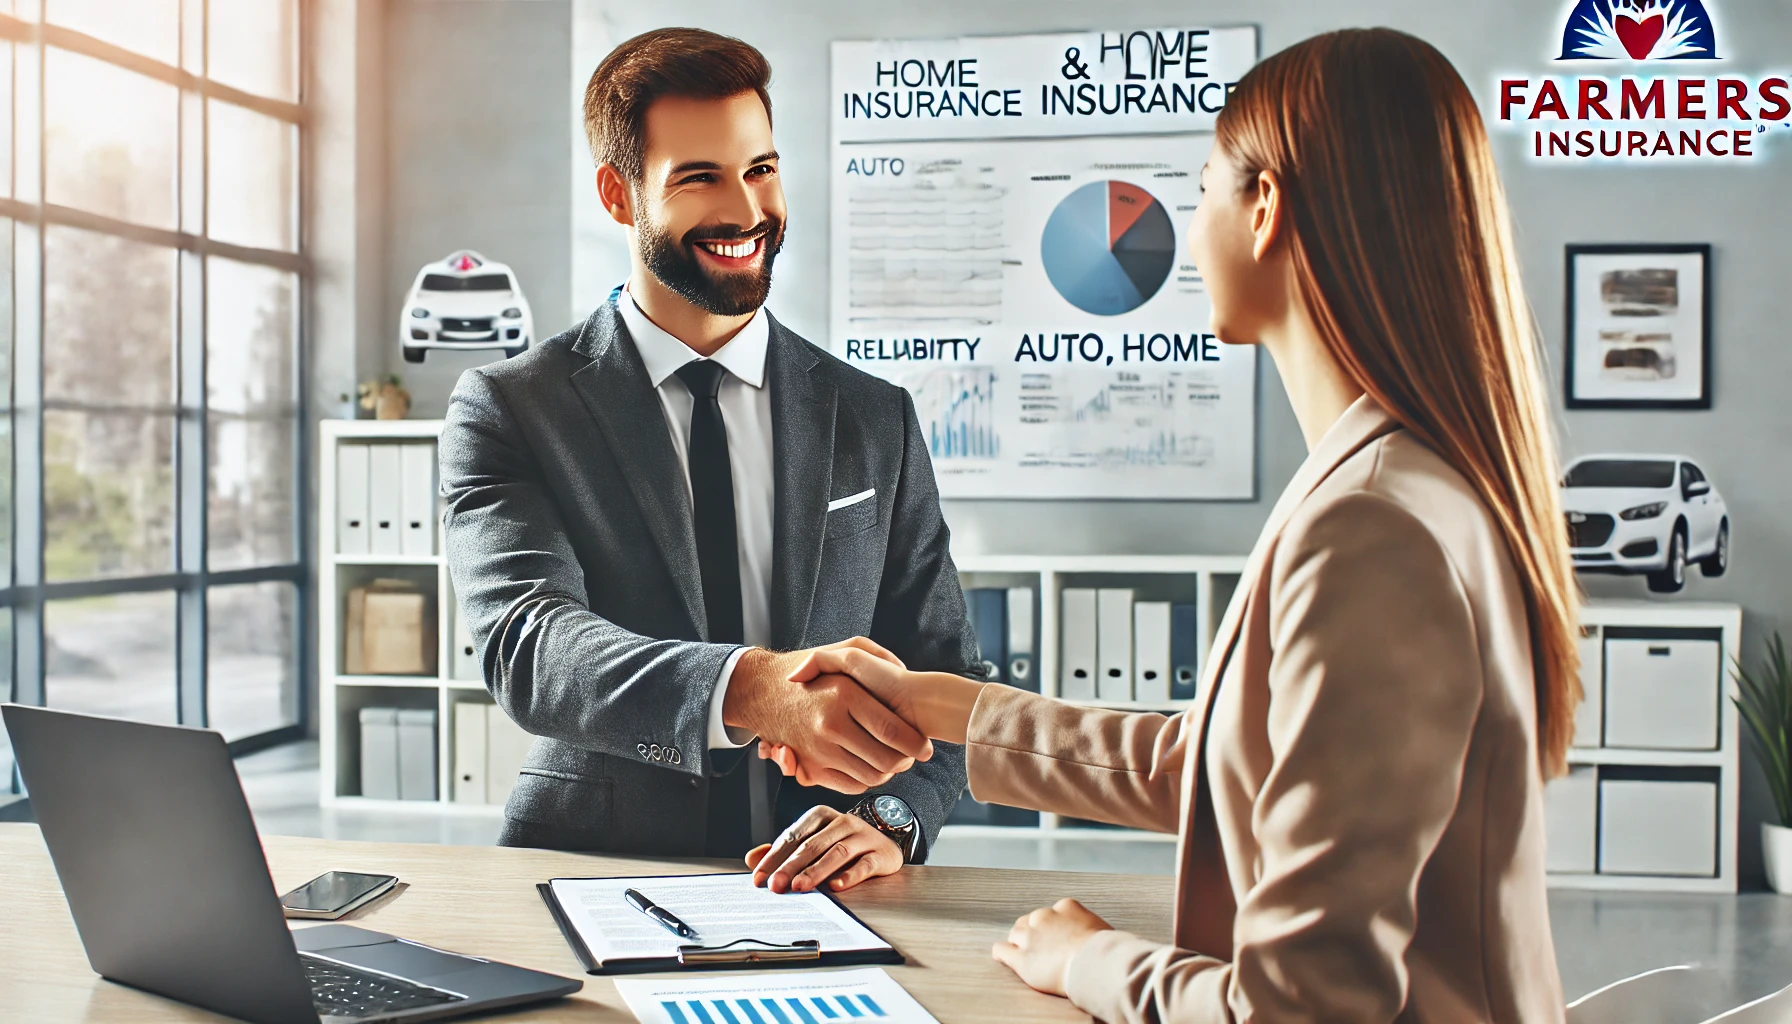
(807, 998)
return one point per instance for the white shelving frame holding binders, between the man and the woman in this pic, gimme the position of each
(1209, 580)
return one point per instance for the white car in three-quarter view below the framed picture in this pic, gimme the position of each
(1646, 514)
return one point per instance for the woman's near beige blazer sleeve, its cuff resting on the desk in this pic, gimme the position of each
(1375, 682)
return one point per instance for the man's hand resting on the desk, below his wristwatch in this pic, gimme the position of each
(825, 847)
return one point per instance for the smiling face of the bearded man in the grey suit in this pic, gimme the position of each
(711, 209)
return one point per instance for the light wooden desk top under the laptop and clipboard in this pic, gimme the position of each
(483, 901)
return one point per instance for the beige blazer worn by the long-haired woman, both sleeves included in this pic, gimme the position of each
(1356, 788)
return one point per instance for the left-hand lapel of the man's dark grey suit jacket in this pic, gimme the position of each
(619, 395)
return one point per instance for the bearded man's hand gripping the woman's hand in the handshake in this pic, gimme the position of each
(841, 734)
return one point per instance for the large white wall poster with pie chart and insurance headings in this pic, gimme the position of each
(1010, 243)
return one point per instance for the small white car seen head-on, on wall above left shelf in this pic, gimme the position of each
(465, 302)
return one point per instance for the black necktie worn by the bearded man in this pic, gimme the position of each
(712, 498)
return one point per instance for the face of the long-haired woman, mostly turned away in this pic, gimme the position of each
(1246, 275)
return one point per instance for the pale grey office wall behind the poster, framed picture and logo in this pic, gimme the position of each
(522, 198)
